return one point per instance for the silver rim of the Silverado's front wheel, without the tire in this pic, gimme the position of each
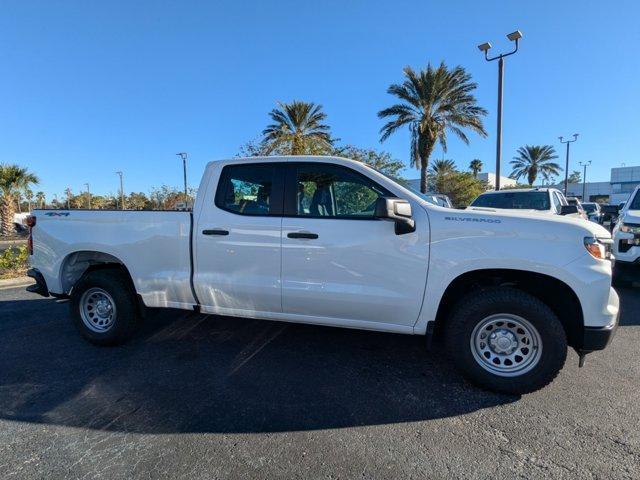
(506, 345)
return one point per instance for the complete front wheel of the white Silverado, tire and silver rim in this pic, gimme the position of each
(506, 340)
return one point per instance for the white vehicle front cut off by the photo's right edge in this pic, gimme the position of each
(626, 234)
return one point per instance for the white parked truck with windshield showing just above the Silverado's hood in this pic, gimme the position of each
(548, 201)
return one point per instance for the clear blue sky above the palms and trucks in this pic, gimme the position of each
(88, 88)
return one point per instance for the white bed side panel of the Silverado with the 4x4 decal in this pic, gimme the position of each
(154, 245)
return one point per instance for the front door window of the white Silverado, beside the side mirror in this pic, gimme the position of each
(324, 190)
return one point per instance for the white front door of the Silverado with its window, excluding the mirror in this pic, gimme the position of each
(340, 264)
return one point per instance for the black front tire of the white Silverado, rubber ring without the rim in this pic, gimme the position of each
(479, 305)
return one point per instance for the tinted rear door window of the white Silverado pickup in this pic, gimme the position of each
(252, 189)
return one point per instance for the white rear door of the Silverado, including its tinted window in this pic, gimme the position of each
(238, 251)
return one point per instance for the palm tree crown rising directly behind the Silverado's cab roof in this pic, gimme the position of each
(298, 129)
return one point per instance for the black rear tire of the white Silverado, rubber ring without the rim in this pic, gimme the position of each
(126, 317)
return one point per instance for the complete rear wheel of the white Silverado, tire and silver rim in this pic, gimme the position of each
(103, 307)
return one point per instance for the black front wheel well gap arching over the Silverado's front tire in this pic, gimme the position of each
(556, 294)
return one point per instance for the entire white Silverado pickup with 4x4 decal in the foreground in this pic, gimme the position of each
(331, 241)
